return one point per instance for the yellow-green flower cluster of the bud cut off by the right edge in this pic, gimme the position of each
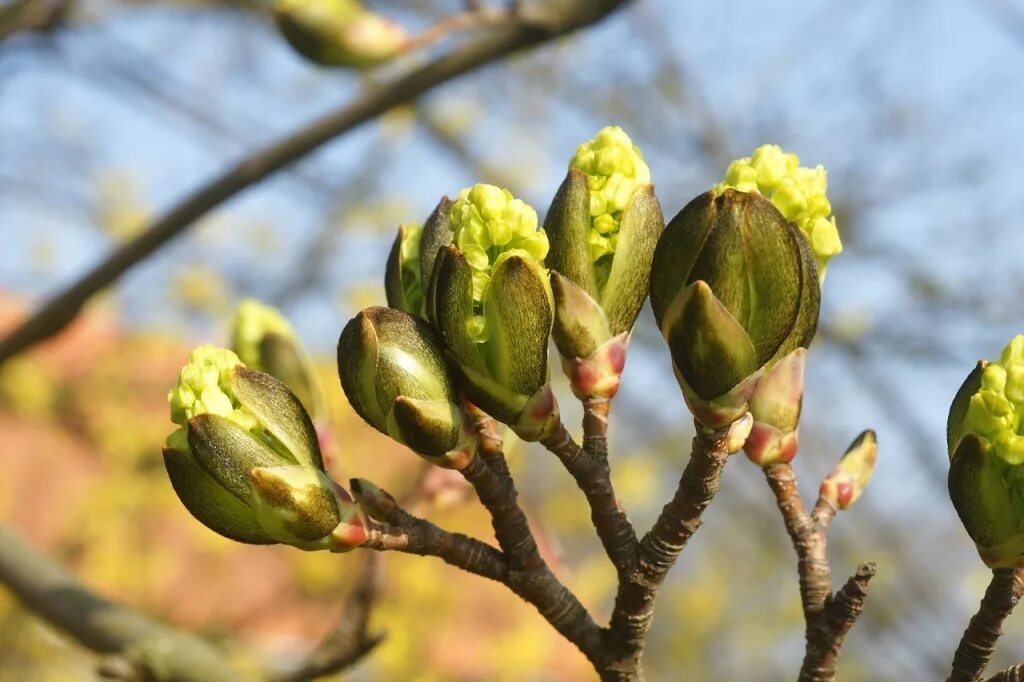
(997, 411)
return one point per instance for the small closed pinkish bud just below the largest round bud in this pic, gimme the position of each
(776, 408)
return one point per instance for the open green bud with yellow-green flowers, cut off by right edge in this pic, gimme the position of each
(986, 436)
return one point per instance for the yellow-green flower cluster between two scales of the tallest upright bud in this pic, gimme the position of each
(615, 168)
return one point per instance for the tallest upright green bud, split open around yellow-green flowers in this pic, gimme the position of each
(604, 225)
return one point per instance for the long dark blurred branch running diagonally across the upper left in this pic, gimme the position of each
(546, 22)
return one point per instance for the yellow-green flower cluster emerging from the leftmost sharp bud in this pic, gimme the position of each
(204, 387)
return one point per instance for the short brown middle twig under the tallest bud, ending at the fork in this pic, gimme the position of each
(589, 466)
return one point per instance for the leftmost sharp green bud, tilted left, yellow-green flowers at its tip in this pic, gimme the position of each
(246, 461)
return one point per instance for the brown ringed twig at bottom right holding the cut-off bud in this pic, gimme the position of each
(979, 640)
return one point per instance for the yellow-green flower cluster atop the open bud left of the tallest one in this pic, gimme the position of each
(489, 225)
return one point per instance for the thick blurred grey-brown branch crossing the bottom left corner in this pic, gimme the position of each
(103, 626)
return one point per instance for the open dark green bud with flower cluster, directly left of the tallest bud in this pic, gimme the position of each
(492, 303)
